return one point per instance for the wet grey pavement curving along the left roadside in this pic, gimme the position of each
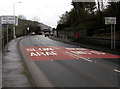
(14, 73)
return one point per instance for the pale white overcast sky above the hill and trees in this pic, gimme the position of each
(47, 10)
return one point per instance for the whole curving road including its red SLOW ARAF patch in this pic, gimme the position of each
(63, 68)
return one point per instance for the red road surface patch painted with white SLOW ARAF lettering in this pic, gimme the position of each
(64, 53)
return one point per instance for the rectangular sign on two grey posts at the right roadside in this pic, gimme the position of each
(112, 22)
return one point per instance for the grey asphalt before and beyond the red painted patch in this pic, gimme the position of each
(73, 72)
